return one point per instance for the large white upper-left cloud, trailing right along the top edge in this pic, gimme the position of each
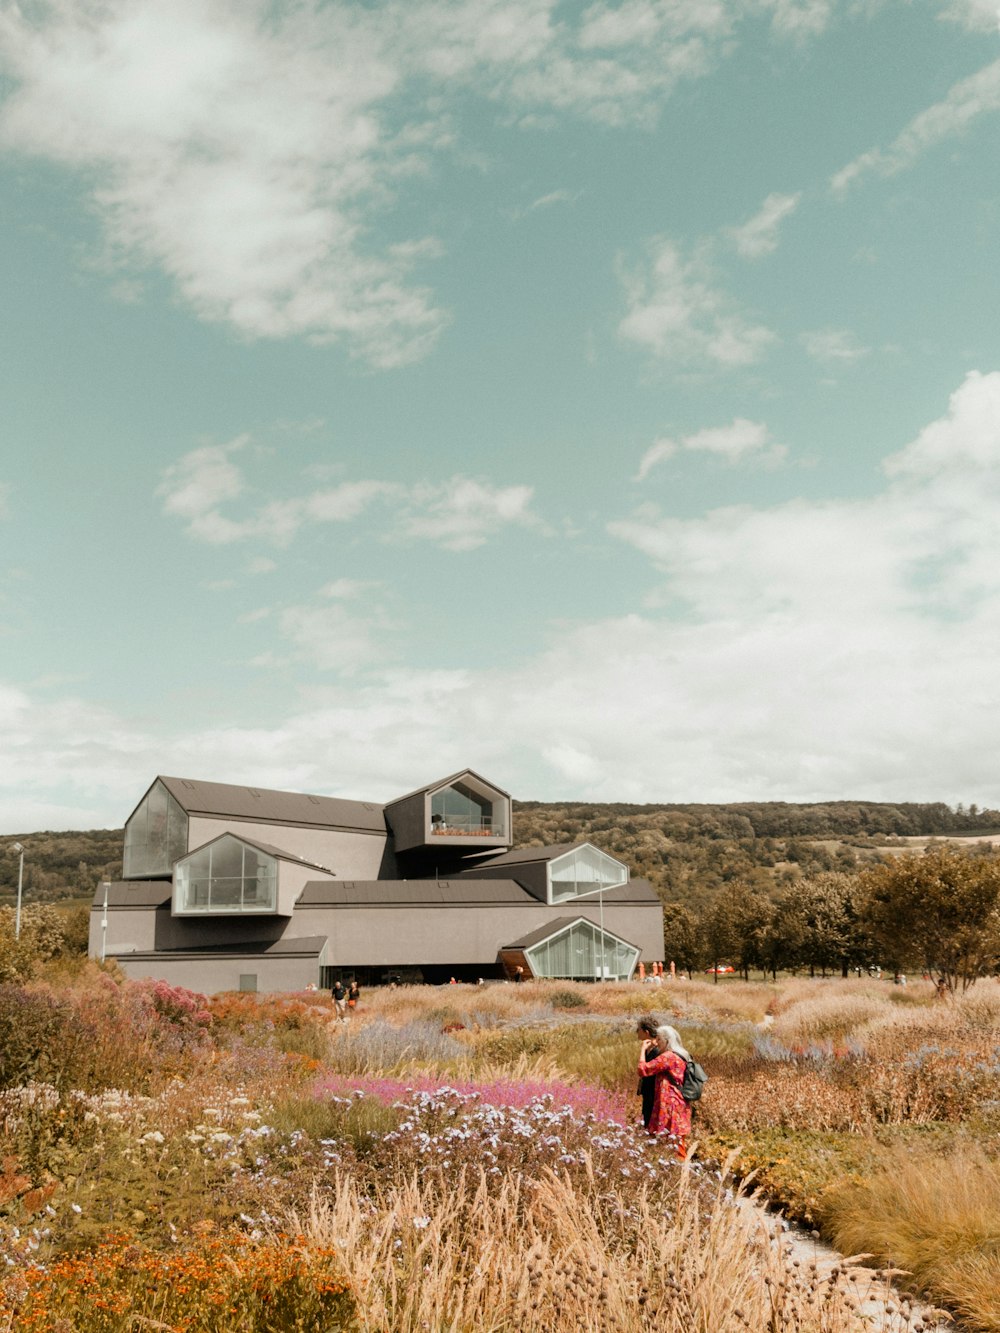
(249, 150)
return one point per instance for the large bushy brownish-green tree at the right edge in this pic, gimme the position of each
(939, 912)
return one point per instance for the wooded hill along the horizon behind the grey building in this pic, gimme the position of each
(687, 852)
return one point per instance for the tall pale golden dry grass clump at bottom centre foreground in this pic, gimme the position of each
(538, 1258)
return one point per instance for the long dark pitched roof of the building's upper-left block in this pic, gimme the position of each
(271, 807)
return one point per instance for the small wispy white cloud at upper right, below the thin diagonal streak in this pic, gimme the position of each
(677, 313)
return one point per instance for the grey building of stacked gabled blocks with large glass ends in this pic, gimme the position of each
(231, 887)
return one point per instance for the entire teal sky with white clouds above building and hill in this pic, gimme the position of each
(605, 397)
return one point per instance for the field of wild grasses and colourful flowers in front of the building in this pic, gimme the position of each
(459, 1158)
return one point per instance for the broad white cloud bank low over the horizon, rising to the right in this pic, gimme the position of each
(823, 650)
